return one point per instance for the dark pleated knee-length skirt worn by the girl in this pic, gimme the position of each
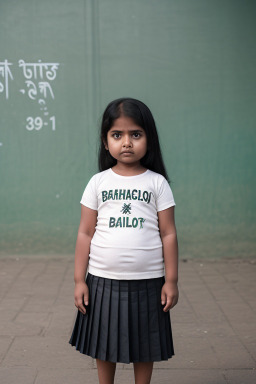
(124, 321)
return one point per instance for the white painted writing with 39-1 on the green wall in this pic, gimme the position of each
(38, 87)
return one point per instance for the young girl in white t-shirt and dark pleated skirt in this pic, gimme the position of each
(127, 240)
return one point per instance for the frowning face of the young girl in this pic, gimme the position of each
(126, 141)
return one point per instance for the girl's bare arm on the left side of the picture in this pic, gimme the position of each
(85, 233)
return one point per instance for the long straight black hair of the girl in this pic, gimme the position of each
(142, 117)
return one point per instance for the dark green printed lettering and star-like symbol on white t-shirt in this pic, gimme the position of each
(126, 194)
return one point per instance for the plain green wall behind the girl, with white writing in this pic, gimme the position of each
(192, 62)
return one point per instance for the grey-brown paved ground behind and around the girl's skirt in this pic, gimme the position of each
(214, 324)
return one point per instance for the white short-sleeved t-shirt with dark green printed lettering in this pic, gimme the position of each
(127, 244)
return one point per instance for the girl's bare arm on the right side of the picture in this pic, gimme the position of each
(168, 235)
